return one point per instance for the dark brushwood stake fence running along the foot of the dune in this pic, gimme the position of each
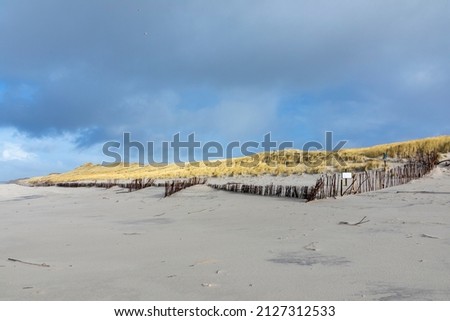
(328, 185)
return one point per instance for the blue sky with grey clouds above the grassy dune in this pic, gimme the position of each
(75, 74)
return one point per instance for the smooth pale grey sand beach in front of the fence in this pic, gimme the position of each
(203, 244)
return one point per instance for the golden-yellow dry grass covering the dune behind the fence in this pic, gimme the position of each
(286, 162)
